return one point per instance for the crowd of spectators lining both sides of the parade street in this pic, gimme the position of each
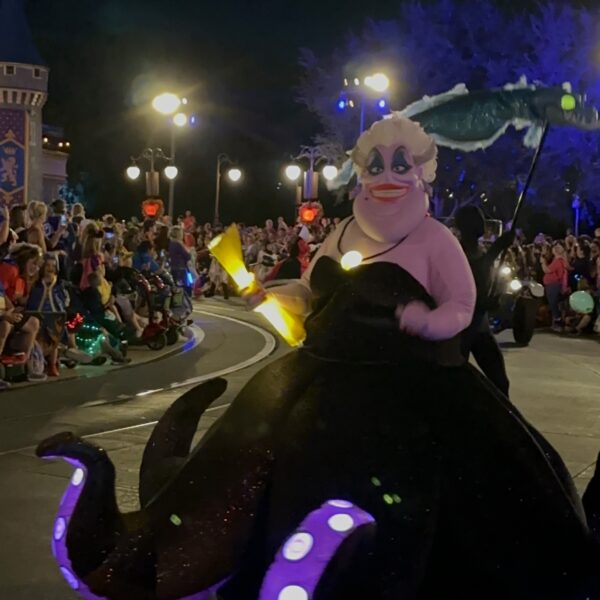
(57, 265)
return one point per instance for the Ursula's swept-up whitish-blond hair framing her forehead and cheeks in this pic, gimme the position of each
(398, 131)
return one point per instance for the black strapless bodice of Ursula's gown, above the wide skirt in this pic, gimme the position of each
(353, 320)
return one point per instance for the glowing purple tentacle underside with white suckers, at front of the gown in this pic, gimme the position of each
(302, 560)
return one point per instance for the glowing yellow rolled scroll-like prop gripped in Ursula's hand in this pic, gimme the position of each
(227, 249)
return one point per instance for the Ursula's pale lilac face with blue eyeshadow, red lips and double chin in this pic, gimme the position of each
(392, 199)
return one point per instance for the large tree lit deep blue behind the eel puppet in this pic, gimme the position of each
(430, 48)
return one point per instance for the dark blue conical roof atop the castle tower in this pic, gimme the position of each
(16, 41)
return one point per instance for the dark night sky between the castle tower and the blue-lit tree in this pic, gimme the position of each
(236, 60)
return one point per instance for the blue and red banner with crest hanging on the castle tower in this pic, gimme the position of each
(13, 156)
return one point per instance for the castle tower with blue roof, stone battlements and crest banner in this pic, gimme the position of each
(23, 93)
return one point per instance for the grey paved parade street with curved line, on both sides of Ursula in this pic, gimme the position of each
(555, 383)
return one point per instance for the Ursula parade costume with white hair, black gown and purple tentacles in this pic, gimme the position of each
(370, 463)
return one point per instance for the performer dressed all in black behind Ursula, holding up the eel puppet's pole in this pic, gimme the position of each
(478, 338)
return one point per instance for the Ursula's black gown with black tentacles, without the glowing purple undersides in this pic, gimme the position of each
(483, 505)
